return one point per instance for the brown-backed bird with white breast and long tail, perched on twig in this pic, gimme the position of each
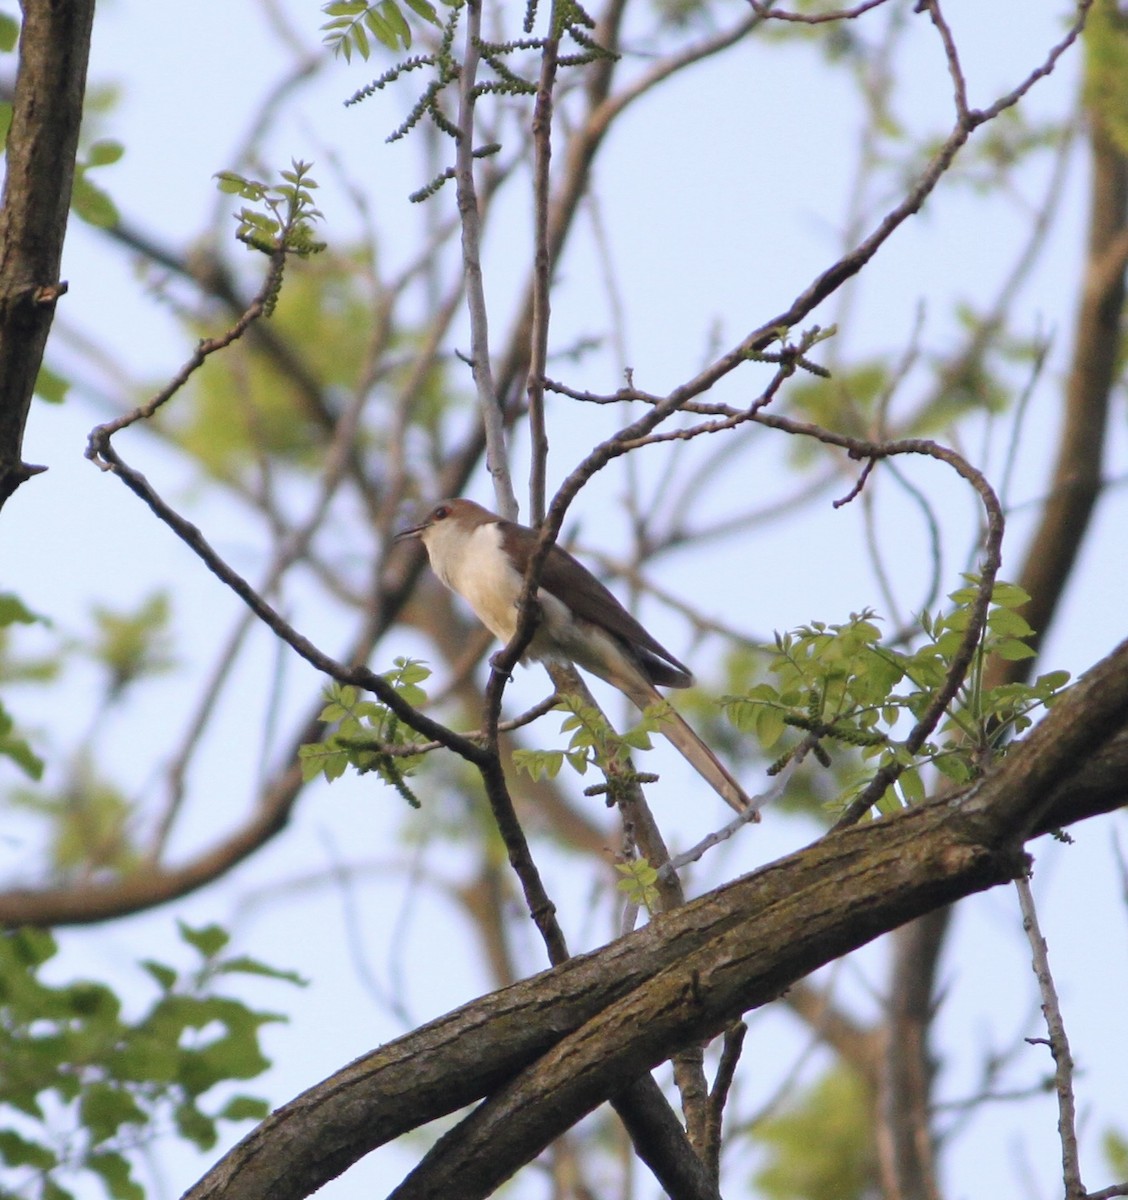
(483, 559)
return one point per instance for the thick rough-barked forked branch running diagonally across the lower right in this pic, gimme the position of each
(554, 1047)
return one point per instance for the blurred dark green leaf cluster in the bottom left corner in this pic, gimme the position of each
(82, 1084)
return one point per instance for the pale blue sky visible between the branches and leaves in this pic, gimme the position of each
(722, 196)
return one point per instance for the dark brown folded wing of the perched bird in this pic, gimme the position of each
(590, 601)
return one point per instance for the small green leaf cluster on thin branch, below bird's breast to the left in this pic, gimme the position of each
(368, 733)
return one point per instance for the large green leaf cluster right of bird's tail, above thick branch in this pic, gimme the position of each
(839, 685)
